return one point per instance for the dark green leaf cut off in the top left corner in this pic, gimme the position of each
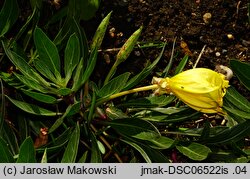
(8, 15)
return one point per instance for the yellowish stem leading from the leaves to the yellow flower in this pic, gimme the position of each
(135, 90)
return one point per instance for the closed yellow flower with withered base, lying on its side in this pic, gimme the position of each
(200, 88)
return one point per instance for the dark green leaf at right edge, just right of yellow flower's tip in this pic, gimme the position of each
(242, 71)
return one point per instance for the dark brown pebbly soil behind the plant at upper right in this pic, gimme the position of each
(222, 26)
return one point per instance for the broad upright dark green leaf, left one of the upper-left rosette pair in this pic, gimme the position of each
(48, 53)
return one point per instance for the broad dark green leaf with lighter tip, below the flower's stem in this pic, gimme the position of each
(136, 128)
